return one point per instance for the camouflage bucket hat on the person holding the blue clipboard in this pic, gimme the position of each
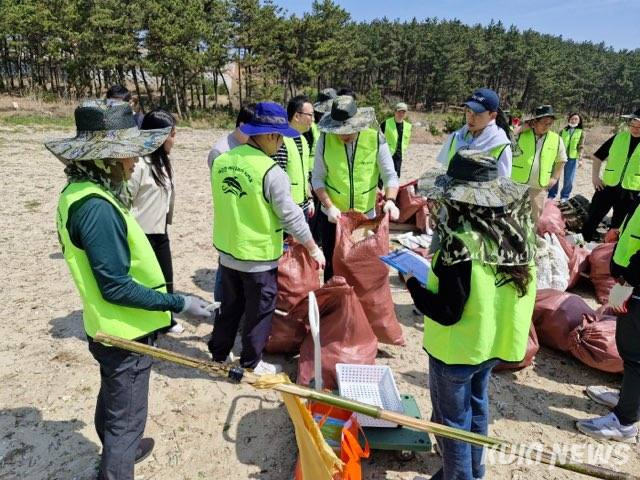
(472, 178)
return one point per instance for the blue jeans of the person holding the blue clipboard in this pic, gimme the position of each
(459, 396)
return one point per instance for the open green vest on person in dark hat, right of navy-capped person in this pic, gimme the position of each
(523, 163)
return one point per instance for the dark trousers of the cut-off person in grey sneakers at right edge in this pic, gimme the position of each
(628, 343)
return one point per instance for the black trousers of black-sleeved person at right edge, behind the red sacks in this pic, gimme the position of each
(623, 202)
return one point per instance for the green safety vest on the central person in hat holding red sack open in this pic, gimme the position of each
(352, 186)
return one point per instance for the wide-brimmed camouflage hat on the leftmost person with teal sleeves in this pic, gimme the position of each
(106, 131)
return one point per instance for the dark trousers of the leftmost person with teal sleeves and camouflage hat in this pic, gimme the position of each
(121, 409)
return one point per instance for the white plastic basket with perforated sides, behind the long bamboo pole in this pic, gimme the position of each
(372, 384)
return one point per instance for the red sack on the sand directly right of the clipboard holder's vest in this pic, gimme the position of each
(555, 315)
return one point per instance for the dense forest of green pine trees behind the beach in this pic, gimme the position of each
(173, 50)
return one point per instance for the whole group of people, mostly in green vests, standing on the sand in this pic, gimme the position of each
(291, 173)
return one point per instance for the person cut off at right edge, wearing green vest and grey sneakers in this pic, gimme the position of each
(621, 423)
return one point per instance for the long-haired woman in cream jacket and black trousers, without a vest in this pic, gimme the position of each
(152, 194)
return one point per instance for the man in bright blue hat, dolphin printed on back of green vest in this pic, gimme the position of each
(252, 206)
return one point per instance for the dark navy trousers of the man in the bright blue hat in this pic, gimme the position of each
(251, 294)
